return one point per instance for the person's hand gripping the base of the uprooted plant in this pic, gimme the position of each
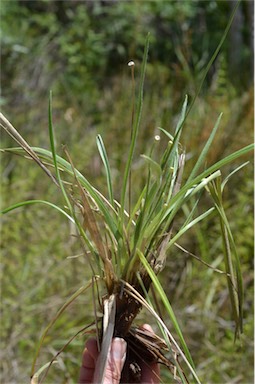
(115, 363)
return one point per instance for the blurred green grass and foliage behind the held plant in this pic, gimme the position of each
(80, 51)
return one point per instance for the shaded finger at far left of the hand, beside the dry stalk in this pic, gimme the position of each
(89, 359)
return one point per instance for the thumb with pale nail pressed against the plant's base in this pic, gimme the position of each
(115, 361)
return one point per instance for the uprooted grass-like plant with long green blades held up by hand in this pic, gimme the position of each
(126, 242)
